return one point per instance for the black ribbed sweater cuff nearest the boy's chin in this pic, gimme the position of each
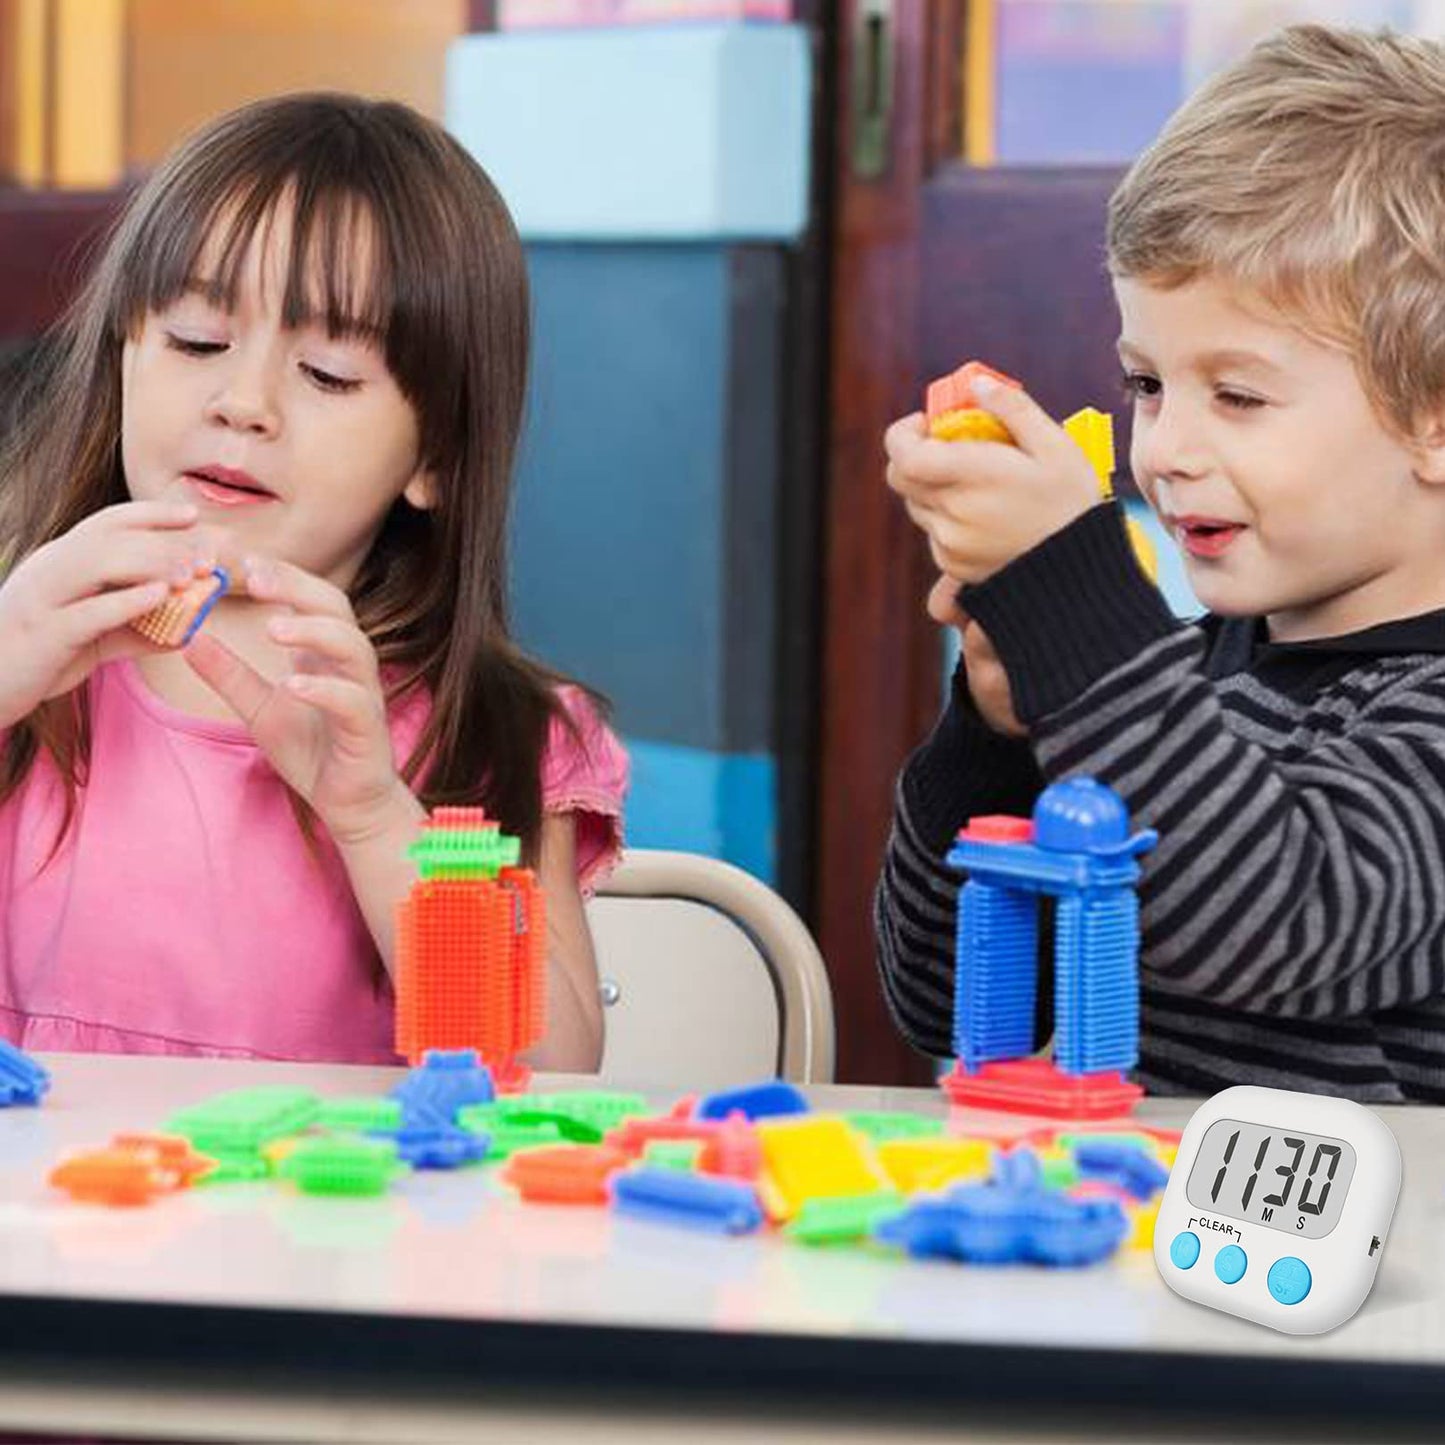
(1070, 612)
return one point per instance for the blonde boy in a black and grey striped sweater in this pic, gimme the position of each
(1280, 264)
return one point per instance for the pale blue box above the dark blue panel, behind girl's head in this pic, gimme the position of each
(680, 134)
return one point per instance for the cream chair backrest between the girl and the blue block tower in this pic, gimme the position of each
(710, 979)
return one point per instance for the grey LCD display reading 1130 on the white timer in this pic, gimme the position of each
(1281, 1178)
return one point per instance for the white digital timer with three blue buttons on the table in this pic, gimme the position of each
(1278, 1207)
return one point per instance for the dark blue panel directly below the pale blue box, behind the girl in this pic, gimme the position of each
(645, 531)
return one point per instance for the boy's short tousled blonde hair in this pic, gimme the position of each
(1313, 173)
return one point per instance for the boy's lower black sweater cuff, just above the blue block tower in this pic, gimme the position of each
(966, 771)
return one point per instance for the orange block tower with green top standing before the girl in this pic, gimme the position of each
(472, 947)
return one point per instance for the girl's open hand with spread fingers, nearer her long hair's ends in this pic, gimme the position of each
(324, 725)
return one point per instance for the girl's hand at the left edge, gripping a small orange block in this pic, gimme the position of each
(66, 609)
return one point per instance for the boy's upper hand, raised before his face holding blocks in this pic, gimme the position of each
(985, 504)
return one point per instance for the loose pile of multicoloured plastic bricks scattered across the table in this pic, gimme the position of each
(735, 1163)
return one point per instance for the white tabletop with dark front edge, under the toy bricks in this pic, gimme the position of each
(449, 1310)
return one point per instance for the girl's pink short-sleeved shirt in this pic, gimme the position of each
(184, 913)
